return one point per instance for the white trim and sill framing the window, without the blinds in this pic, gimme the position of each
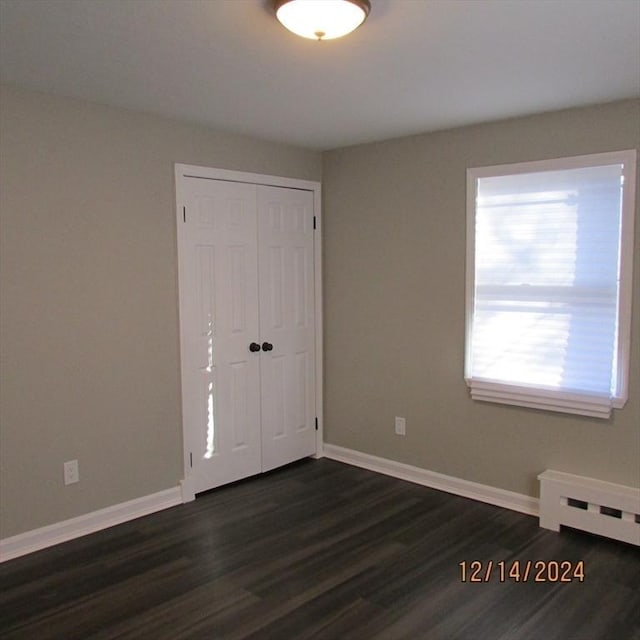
(537, 397)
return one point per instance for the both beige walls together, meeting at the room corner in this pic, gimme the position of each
(89, 302)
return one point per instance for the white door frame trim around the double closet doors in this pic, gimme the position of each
(183, 171)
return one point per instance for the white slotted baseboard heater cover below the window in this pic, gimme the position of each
(604, 508)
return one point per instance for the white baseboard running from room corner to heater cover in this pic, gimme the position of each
(457, 486)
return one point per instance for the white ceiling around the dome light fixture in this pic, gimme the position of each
(414, 66)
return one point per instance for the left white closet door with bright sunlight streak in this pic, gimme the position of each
(219, 314)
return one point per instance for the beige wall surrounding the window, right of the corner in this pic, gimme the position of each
(394, 273)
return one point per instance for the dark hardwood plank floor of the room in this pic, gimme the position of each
(321, 550)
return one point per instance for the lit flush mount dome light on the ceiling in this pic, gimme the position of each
(321, 19)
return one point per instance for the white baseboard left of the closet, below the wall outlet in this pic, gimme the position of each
(37, 539)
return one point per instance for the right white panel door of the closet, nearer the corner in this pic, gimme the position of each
(286, 267)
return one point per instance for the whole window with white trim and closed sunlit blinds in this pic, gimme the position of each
(549, 264)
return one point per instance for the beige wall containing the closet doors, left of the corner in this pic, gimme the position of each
(90, 361)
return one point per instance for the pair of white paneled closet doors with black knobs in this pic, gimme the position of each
(247, 328)
